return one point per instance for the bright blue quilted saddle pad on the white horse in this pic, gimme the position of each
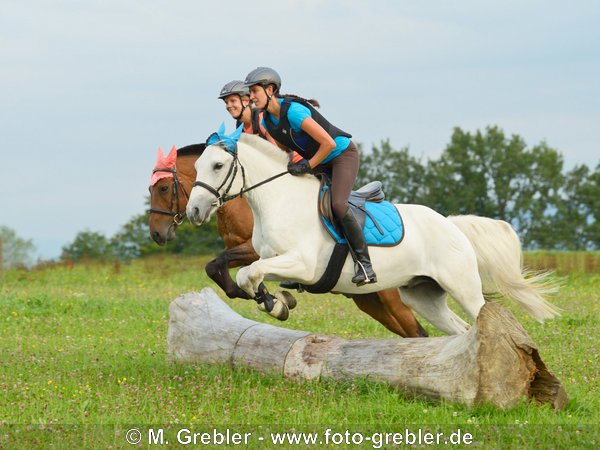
(383, 225)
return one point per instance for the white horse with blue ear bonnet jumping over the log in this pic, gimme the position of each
(435, 257)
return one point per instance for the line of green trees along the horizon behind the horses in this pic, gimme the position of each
(486, 173)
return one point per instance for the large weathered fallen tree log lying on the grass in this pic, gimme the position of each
(495, 362)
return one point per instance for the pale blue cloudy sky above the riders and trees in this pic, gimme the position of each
(89, 90)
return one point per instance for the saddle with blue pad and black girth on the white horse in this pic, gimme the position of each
(379, 219)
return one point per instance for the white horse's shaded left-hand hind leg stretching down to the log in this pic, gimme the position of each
(429, 300)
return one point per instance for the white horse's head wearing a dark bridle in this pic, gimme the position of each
(217, 173)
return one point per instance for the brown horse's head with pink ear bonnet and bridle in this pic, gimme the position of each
(169, 186)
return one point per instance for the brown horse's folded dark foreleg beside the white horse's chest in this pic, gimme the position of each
(218, 268)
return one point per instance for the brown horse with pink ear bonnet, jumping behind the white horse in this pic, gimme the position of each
(168, 199)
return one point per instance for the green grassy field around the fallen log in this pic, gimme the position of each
(83, 359)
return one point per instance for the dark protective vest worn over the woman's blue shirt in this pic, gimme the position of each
(301, 142)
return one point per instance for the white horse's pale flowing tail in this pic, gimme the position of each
(500, 263)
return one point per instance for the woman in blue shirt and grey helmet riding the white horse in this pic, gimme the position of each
(296, 125)
